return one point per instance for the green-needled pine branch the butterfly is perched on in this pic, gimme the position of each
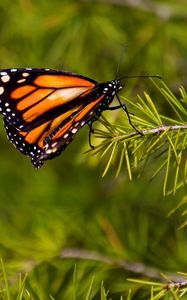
(162, 145)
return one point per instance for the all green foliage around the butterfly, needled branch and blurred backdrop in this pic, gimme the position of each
(66, 215)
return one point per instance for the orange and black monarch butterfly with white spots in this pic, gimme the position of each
(43, 109)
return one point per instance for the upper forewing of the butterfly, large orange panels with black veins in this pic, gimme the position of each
(30, 97)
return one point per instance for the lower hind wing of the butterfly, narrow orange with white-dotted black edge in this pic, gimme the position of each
(52, 137)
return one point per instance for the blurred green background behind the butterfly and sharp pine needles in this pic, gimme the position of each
(67, 204)
